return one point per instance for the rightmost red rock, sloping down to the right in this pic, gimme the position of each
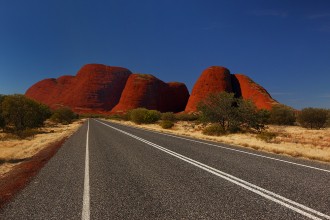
(248, 89)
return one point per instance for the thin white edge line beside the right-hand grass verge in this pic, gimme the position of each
(240, 151)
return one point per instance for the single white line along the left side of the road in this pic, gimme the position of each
(85, 215)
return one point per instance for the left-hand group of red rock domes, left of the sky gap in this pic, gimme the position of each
(103, 89)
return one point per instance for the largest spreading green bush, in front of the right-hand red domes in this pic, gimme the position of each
(231, 113)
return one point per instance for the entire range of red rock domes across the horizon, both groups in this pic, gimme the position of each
(102, 89)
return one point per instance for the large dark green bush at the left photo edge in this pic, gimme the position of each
(20, 113)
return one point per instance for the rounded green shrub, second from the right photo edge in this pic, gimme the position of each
(282, 115)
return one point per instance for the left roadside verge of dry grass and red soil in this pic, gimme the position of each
(20, 160)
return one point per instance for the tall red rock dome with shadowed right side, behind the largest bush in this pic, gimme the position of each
(214, 79)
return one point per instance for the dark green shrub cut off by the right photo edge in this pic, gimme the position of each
(313, 118)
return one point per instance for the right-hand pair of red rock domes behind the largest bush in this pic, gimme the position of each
(218, 79)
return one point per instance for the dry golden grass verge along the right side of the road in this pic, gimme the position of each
(290, 140)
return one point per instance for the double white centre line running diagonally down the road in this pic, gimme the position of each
(297, 207)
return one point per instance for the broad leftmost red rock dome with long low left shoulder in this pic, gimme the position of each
(95, 89)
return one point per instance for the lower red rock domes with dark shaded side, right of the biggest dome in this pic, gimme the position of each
(147, 91)
